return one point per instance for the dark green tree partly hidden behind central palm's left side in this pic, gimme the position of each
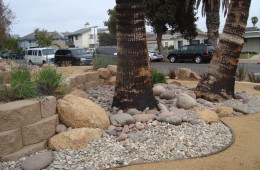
(106, 39)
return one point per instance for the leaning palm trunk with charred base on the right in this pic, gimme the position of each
(218, 83)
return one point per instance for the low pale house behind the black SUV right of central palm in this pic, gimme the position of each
(175, 40)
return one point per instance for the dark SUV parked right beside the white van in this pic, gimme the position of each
(72, 56)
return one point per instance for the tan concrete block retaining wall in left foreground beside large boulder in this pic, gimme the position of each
(25, 126)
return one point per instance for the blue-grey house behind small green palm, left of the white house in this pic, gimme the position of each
(29, 40)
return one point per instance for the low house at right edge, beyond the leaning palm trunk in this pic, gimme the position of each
(252, 40)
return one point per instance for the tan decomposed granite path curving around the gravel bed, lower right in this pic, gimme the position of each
(243, 154)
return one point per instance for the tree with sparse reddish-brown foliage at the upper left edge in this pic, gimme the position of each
(6, 18)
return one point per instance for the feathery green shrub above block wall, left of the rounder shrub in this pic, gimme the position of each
(21, 85)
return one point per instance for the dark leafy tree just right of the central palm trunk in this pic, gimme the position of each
(163, 15)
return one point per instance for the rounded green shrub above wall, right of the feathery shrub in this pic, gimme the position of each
(47, 80)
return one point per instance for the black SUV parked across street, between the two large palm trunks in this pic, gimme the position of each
(198, 53)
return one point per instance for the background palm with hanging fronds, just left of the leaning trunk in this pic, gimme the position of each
(210, 9)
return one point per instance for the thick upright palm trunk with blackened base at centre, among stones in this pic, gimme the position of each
(134, 81)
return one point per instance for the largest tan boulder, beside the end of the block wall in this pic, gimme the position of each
(77, 112)
